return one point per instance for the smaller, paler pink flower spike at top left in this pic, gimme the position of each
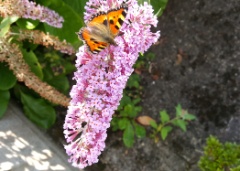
(34, 11)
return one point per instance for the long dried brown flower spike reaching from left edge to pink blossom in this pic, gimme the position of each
(11, 54)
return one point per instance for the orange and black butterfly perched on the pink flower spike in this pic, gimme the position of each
(102, 28)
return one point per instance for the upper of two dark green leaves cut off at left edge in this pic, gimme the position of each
(7, 79)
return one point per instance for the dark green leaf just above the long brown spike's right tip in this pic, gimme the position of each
(60, 82)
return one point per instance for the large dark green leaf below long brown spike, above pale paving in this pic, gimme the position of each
(38, 111)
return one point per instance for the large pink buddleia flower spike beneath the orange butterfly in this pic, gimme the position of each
(100, 80)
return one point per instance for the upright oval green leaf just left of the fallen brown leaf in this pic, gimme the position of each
(128, 136)
